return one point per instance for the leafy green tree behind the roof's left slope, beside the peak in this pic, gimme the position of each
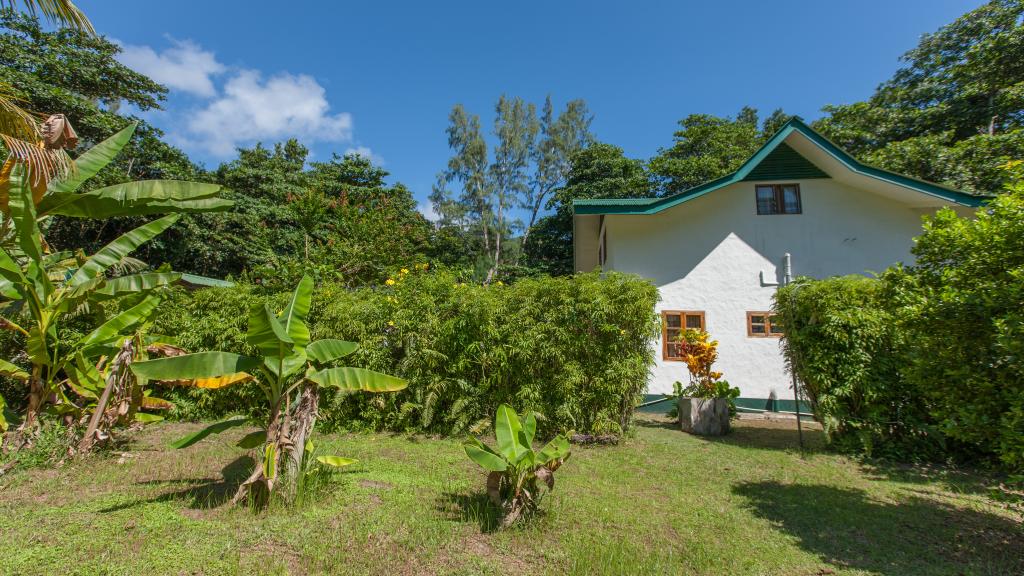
(709, 147)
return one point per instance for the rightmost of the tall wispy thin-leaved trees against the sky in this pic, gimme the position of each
(560, 138)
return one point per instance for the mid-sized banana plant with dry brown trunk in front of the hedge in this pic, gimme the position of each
(290, 371)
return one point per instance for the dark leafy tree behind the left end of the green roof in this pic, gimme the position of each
(601, 171)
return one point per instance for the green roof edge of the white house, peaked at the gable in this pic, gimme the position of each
(776, 160)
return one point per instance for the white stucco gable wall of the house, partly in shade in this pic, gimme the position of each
(710, 254)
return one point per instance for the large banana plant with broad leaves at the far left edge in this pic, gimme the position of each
(40, 290)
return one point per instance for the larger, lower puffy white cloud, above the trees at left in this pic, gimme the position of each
(251, 109)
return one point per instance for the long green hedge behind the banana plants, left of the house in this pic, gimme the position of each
(576, 349)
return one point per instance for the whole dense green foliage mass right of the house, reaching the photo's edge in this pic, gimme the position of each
(928, 358)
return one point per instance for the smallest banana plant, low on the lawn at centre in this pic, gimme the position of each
(516, 471)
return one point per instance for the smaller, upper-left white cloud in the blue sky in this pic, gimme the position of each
(184, 67)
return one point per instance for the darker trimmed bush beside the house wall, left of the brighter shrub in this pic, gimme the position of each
(843, 343)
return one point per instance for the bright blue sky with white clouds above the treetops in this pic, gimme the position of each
(380, 77)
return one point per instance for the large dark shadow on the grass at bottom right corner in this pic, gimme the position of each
(848, 528)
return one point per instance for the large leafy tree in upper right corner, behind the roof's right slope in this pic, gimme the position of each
(954, 113)
